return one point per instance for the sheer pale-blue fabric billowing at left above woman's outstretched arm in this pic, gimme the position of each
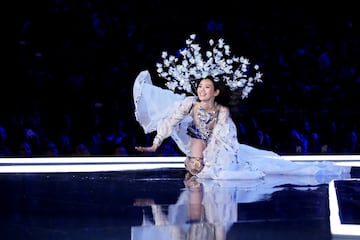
(161, 110)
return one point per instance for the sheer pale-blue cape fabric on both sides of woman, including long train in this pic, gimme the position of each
(161, 110)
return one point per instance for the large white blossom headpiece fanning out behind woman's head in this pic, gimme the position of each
(181, 72)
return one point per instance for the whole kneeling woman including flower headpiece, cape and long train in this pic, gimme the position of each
(201, 125)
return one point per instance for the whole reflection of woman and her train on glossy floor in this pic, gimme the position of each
(207, 209)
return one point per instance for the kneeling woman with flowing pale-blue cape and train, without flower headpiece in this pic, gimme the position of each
(206, 133)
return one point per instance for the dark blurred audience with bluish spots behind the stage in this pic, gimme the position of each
(73, 83)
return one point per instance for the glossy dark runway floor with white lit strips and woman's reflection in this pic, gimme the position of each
(116, 200)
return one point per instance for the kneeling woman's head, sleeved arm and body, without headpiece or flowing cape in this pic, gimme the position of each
(204, 111)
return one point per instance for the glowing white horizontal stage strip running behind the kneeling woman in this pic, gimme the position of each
(101, 164)
